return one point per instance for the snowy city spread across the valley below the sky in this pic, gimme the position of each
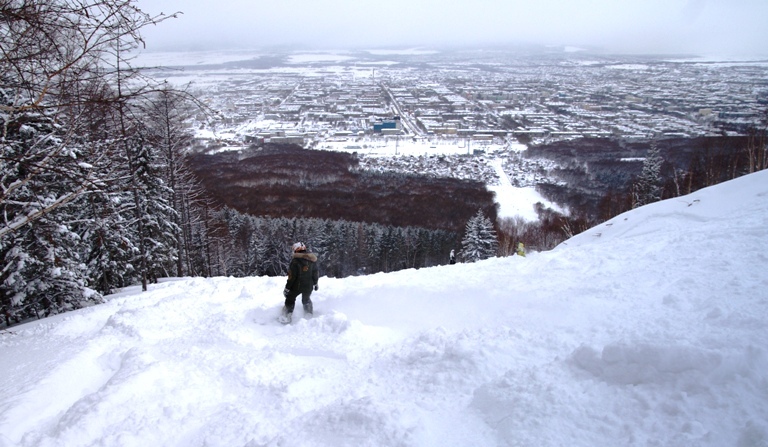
(461, 113)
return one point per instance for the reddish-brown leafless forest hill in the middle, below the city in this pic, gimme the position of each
(288, 181)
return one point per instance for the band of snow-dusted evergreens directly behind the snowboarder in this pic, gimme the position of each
(259, 245)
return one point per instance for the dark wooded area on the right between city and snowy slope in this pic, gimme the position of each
(590, 168)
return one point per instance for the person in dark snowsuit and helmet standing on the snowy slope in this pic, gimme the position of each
(302, 279)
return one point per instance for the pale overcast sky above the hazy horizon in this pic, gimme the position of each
(707, 27)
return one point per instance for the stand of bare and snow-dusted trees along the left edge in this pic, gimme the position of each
(94, 191)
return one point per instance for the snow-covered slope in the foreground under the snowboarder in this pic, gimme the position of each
(647, 330)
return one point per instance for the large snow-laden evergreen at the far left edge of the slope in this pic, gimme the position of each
(42, 178)
